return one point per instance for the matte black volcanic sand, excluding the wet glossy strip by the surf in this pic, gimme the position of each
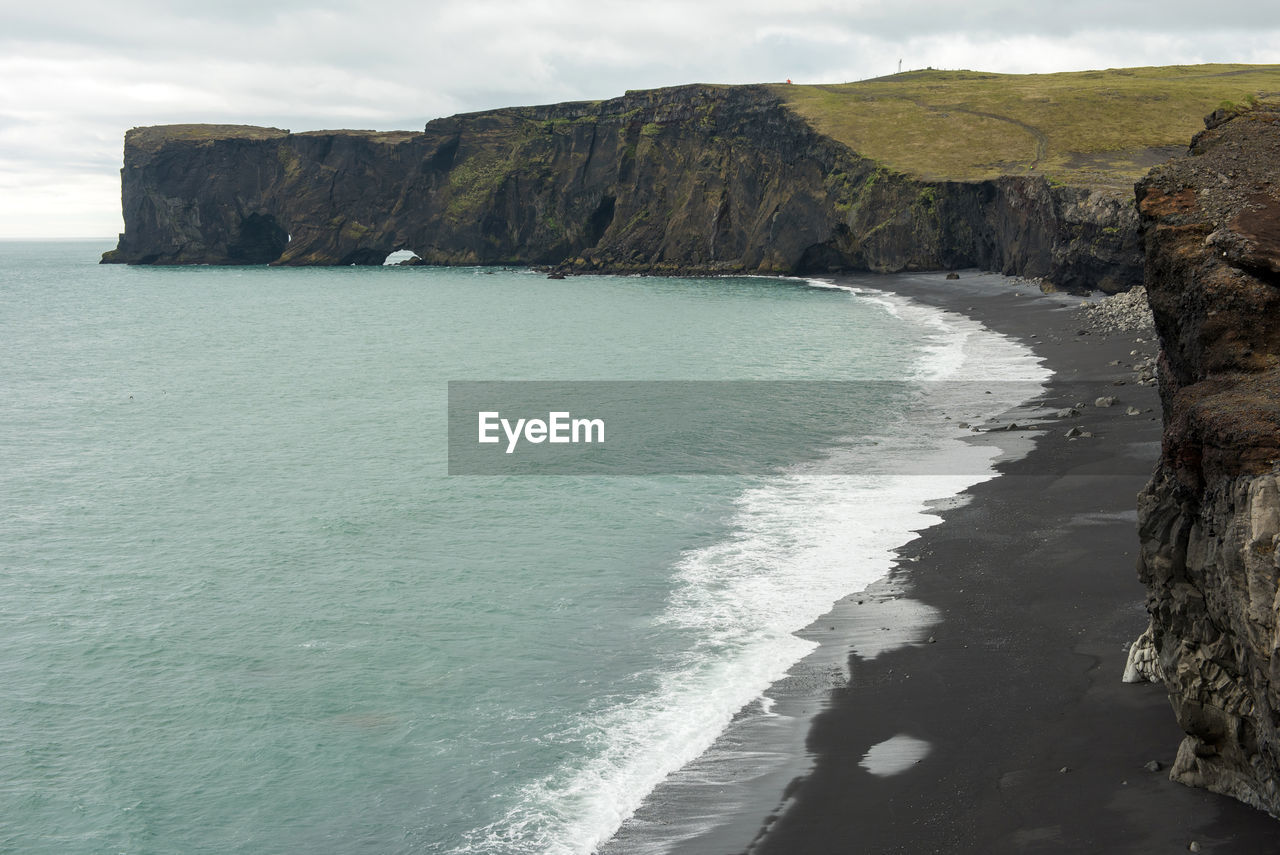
(1040, 600)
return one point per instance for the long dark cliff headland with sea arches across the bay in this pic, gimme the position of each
(696, 179)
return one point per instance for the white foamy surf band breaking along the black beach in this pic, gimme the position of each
(799, 543)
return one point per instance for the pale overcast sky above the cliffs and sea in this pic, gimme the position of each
(76, 75)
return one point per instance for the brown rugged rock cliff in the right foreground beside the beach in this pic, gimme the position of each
(1210, 519)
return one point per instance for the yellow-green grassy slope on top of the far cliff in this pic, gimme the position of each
(1099, 129)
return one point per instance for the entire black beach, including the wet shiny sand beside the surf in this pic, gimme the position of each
(1025, 602)
